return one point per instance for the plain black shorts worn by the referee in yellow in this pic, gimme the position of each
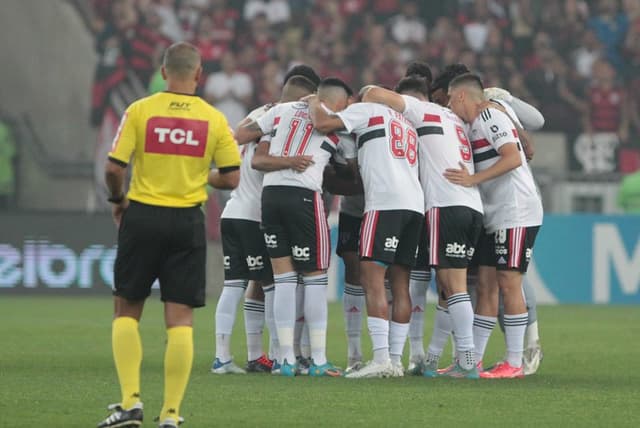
(161, 243)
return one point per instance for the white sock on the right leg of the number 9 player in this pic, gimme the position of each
(461, 314)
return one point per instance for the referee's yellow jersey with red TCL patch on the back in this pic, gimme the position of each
(173, 139)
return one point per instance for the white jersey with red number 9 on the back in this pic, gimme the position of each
(442, 144)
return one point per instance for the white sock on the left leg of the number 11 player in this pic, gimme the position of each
(284, 311)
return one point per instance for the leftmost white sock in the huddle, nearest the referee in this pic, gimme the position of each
(226, 309)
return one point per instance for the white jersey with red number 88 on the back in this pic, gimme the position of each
(387, 157)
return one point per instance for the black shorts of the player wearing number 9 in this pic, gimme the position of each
(453, 235)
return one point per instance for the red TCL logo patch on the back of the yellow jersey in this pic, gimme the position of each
(176, 136)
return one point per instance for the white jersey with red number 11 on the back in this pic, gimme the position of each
(293, 134)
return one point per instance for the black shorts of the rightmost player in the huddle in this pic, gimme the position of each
(507, 249)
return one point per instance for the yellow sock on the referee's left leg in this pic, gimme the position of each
(127, 354)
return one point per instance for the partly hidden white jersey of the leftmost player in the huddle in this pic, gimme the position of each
(245, 202)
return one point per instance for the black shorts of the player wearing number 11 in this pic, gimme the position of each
(294, 224)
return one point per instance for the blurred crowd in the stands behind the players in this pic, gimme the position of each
(576, 60)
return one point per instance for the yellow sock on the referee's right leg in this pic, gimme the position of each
(177, 368)
